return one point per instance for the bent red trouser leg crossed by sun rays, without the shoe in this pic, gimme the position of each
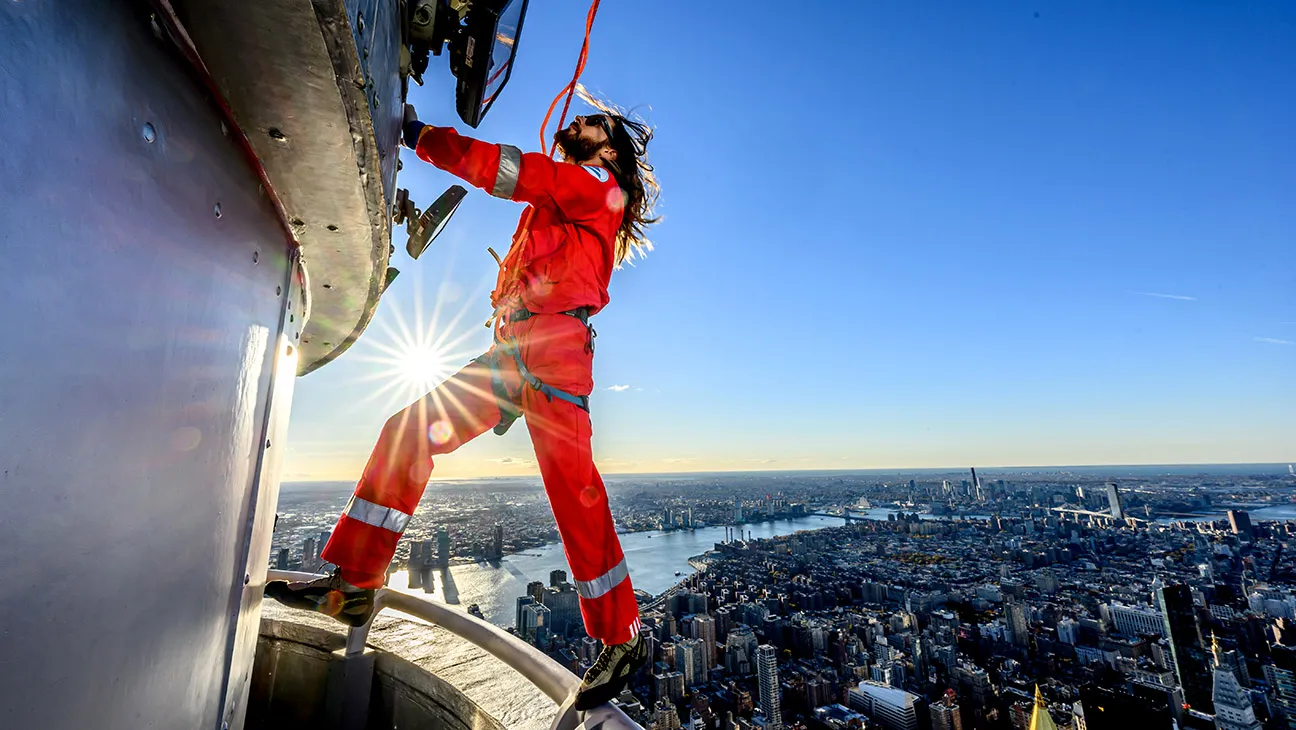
(459, 410)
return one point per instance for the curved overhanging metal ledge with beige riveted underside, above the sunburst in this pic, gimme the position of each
(326, 125)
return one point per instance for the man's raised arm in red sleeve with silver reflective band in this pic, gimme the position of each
(506, 172)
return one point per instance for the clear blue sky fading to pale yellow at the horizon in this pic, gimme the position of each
(899, 235)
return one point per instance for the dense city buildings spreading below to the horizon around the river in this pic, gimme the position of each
(1049, 600)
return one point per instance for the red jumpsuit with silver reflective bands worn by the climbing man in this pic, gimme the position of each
(561, 261)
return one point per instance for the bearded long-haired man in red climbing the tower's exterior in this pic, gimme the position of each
(585, 216)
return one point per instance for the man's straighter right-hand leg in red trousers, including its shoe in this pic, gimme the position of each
(561, 434)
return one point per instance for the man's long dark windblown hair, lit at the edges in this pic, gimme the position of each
(636, 177)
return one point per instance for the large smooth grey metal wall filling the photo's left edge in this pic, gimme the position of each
(145, 290)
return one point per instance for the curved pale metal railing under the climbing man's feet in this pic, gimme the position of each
(549, 676)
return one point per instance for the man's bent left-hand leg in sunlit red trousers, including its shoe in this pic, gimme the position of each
(366, 537)
